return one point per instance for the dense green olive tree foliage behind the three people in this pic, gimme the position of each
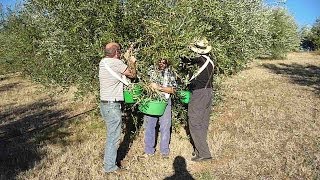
(61, 42)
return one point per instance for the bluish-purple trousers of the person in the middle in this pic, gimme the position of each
(150, 132)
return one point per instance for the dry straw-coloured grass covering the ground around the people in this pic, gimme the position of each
(267, 127)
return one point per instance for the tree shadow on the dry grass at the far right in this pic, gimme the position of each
(303, 75)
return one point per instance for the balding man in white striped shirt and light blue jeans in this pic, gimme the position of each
(111, 94)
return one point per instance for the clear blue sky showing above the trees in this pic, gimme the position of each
(305, 12)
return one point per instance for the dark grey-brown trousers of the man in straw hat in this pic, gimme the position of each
(199, 110)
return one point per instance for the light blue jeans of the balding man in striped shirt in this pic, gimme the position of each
(111, 113)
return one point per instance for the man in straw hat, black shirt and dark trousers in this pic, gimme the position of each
(199, 107)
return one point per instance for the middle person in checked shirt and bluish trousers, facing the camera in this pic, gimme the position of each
(163, 80)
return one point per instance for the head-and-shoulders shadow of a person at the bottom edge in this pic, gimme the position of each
(180, 170)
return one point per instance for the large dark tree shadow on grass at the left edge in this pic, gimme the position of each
(20, 129)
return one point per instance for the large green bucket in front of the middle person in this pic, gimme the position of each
(153, 107)
